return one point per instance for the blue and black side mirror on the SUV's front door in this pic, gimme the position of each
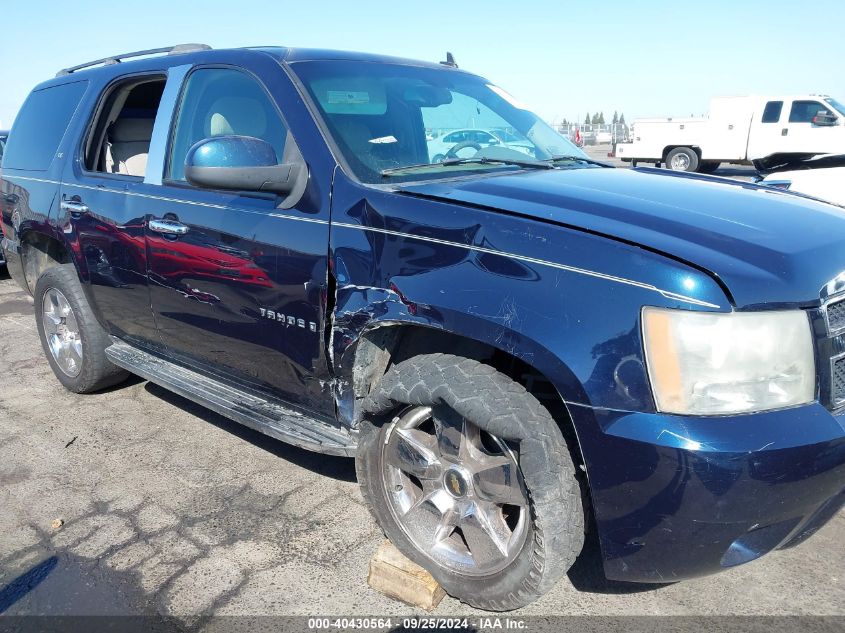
(241, 163)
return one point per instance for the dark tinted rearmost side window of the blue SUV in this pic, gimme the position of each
(40, 126)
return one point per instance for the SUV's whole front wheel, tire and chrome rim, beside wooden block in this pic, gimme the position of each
(470, 477)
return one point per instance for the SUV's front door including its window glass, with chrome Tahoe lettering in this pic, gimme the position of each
(241, 292)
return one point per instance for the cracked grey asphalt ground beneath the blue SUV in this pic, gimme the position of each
(171, 509)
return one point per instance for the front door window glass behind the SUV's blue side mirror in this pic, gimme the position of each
(220, 101)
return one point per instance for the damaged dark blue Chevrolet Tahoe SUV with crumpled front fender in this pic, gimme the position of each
(515, 342)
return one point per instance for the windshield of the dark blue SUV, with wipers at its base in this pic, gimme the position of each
(386, 117)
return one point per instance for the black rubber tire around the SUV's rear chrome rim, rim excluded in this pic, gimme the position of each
(96, 371)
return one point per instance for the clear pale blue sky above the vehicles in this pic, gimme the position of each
(562, 58)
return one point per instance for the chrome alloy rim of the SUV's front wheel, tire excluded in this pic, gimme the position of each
(456, 491)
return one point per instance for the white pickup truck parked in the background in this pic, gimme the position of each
(740, 130)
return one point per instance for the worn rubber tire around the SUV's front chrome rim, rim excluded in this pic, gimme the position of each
(498, 405)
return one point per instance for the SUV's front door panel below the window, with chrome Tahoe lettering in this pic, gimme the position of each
(242, 290)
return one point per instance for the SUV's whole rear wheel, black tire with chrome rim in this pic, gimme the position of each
(73, 340)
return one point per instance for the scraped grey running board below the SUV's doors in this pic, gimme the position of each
(267, 416)
